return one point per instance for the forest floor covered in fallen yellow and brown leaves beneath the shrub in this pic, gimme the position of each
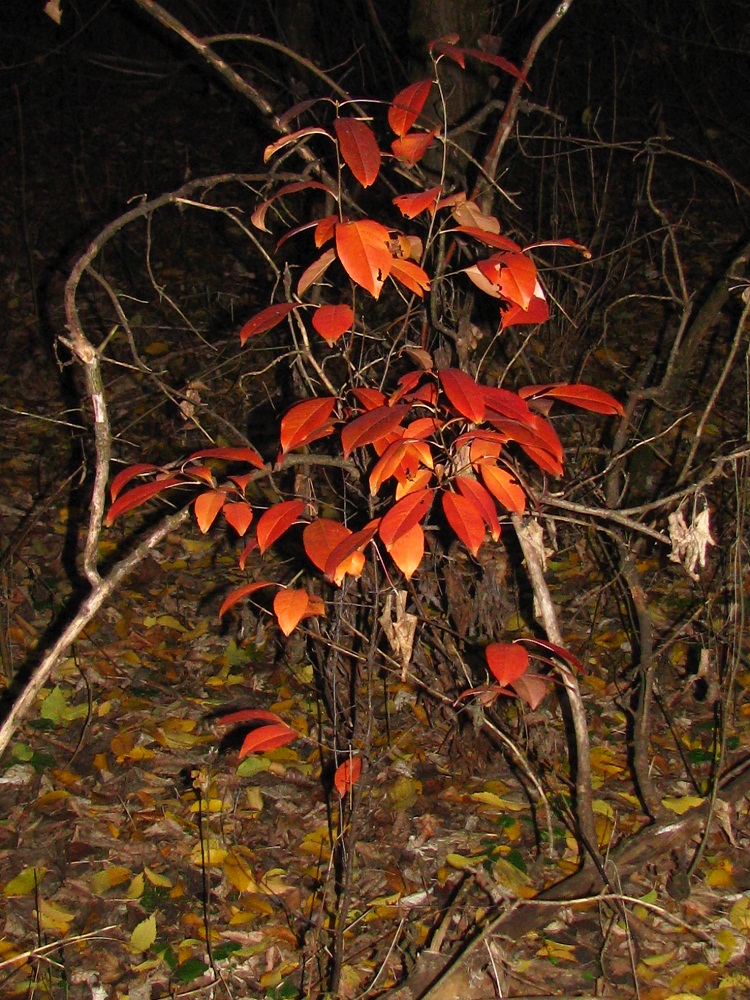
(137, 860)
